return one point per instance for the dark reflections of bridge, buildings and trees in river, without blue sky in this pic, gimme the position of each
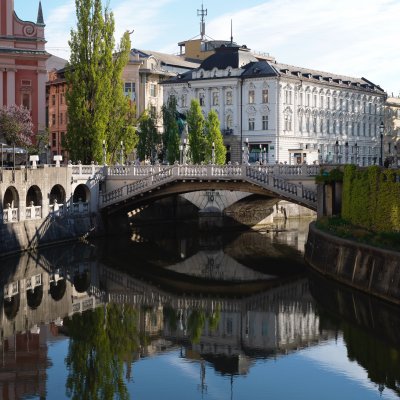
(127, 300)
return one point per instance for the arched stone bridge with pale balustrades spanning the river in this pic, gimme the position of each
(126, 187)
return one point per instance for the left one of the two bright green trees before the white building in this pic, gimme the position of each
(197, 139)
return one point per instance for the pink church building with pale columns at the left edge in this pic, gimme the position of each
(23, 63)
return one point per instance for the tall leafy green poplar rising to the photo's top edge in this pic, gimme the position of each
(97, 108)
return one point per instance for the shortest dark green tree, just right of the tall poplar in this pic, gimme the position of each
(149, 139)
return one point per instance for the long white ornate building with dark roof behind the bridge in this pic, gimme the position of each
(272, 112)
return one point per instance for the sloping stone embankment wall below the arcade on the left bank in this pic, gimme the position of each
(24, 235)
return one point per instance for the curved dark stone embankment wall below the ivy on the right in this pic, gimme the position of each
(370, 269)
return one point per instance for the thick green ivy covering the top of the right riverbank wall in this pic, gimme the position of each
(371, 198)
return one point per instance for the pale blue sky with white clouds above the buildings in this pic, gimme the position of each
(356, 38)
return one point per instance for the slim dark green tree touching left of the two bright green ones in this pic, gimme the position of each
(171, 137)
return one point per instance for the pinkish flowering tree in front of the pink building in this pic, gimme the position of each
(16, 125)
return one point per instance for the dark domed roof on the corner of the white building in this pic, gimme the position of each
(228, 56)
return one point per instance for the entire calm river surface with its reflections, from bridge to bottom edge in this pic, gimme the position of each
(173, 313)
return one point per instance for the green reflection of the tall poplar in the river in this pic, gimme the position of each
(100, 341)
